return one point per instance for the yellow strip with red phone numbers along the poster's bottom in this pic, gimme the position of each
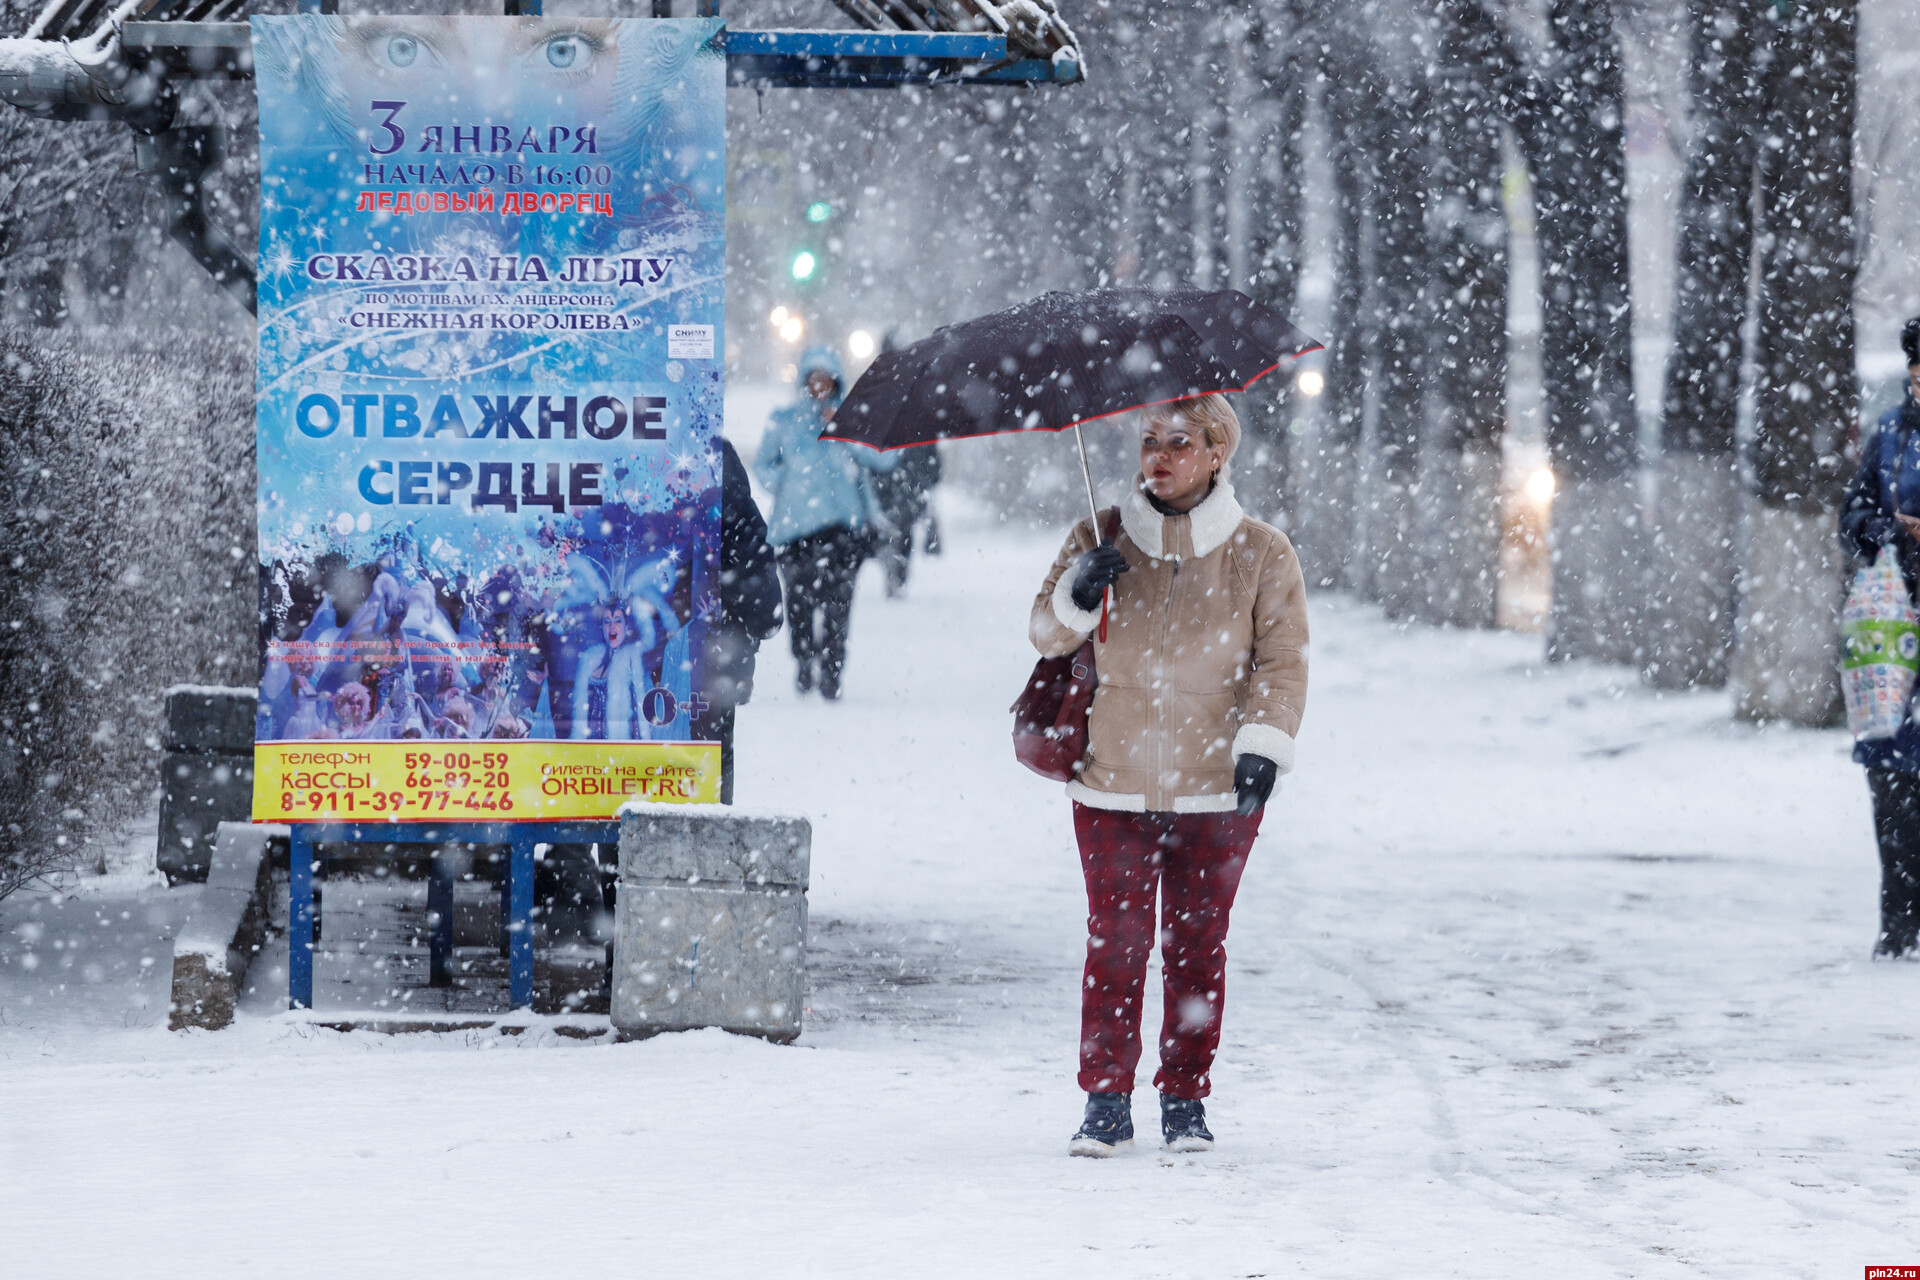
(431, 780)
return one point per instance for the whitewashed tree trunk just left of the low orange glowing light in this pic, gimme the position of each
(1460, 475)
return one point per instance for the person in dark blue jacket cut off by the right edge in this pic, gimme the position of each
(1883, 510)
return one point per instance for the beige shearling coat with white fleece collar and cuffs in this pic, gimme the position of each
(1205, 657)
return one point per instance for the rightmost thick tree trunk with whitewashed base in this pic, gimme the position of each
(1790, 590)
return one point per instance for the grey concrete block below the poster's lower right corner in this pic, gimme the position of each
(711, 922)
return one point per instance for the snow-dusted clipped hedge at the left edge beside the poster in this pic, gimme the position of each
(128, 557)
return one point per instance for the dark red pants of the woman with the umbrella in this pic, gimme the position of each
(1195, 861)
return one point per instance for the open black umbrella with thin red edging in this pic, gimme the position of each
(1065, 360)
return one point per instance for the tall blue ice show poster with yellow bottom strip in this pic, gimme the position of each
(491, 389)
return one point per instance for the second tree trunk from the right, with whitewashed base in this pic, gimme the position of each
(1696, 515)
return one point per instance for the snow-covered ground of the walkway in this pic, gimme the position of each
(1533, 974)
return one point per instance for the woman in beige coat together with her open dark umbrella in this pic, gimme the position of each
(1199, 625)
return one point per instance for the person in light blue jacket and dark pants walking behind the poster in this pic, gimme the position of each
(825, 515)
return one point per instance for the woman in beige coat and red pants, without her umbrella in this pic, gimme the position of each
(1203, 676)
